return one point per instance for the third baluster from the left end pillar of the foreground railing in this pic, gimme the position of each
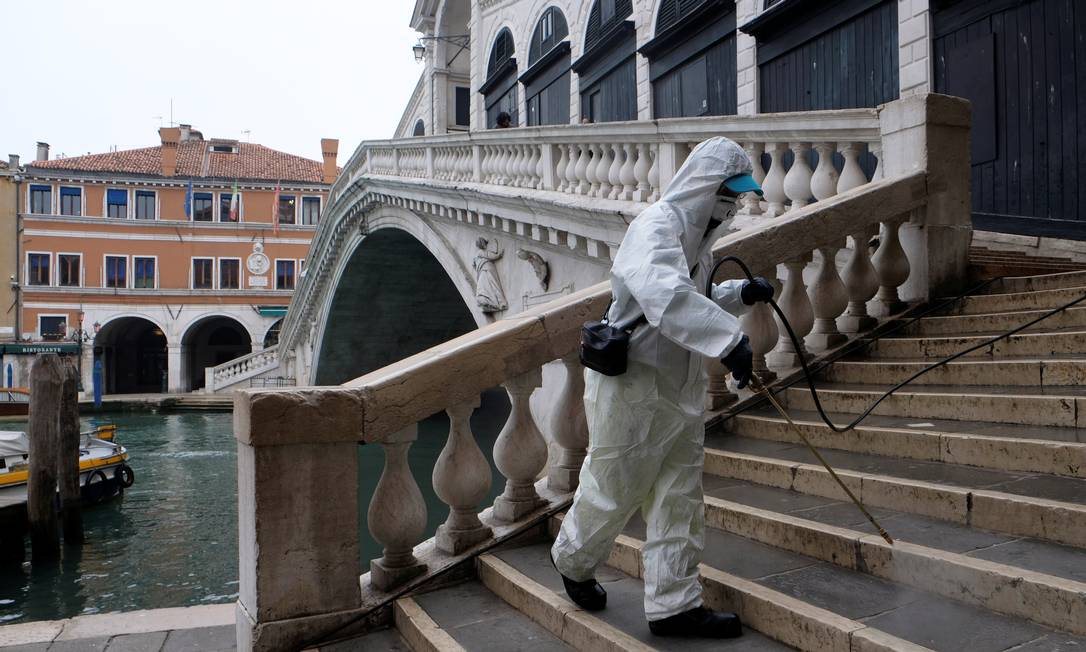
(521, 452)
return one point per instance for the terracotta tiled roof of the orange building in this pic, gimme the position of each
(195, 160)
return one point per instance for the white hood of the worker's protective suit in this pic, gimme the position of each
(692, 193)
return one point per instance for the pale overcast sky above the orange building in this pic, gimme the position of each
(90, 76)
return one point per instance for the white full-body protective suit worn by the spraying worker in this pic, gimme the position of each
(647, 430)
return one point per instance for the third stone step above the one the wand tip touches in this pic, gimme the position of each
(1064, 407)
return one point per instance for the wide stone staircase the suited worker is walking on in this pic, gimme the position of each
(976, 470)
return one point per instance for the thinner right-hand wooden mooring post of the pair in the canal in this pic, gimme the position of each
(68, 460)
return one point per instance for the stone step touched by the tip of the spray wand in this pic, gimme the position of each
(927, 554)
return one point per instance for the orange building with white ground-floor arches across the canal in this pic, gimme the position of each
(159, 264)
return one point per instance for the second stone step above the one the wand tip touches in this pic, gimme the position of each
(1000, 447)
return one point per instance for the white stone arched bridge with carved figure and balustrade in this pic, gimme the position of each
(416, 227)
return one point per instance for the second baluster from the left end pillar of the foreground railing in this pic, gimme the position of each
(461, 480)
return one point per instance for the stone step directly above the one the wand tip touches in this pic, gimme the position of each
(1047, 508)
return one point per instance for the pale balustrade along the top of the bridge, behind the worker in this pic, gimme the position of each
(626, 162)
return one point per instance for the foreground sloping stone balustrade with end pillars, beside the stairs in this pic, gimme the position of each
(301, 579)
